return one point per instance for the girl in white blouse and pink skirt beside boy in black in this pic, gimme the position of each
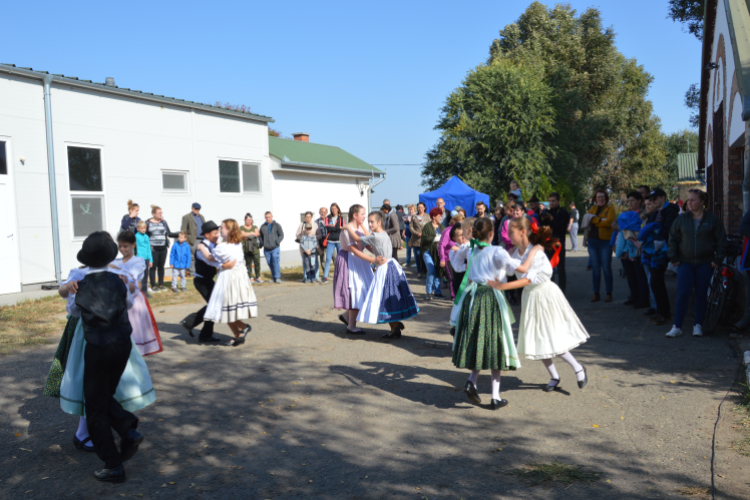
(145, 332)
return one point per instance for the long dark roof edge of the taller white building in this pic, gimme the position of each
(11, 69)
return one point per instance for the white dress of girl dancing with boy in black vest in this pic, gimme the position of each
(233, 298)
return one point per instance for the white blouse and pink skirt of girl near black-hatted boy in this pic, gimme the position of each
(145, 332)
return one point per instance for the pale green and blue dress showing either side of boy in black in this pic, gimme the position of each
(134, 390)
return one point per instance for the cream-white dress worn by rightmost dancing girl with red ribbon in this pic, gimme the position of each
(549, 326)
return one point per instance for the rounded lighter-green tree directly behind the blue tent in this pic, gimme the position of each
(494, 128)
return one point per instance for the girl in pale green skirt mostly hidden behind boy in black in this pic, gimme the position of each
(135, 389)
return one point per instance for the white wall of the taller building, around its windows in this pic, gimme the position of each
(138, 140)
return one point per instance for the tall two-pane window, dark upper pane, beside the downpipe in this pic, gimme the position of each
(86, 190)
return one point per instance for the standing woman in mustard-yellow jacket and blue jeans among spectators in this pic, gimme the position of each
(600, 249)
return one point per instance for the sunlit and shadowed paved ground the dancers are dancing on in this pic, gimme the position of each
(303, 411)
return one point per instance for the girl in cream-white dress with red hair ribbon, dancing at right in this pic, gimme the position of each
(549, 326)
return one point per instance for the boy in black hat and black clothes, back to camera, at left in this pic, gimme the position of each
(102, 298)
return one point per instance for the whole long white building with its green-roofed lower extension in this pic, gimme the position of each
(110, 144)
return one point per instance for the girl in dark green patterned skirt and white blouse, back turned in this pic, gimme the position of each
(484, 339)
